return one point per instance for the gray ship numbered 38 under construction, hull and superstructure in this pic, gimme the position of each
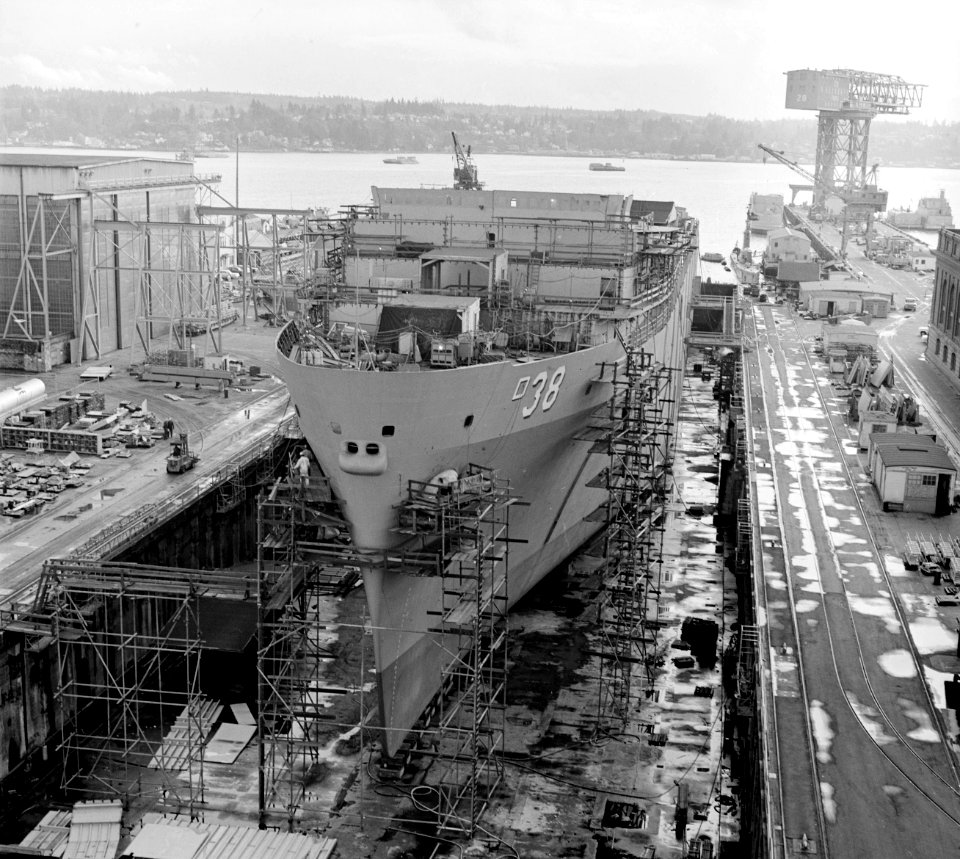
(468, 329)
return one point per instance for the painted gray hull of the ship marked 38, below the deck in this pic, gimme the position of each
(421, 423)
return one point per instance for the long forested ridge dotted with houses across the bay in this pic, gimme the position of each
(214, 121)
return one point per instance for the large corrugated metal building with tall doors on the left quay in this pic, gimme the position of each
(67, 282)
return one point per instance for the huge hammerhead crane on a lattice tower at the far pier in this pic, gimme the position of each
(847, 100)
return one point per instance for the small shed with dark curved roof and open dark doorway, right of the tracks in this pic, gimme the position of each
(912, 473)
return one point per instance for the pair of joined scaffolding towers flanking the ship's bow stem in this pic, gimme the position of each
(465, 529)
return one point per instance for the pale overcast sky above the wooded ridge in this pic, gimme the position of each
(679, 56)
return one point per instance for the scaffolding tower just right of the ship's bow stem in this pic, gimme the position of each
(468, 526)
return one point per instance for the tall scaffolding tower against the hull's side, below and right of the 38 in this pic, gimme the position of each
(637, 443)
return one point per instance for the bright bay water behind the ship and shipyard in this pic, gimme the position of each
(715, 192)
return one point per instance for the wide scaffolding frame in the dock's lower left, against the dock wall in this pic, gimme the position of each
(128, 645)
